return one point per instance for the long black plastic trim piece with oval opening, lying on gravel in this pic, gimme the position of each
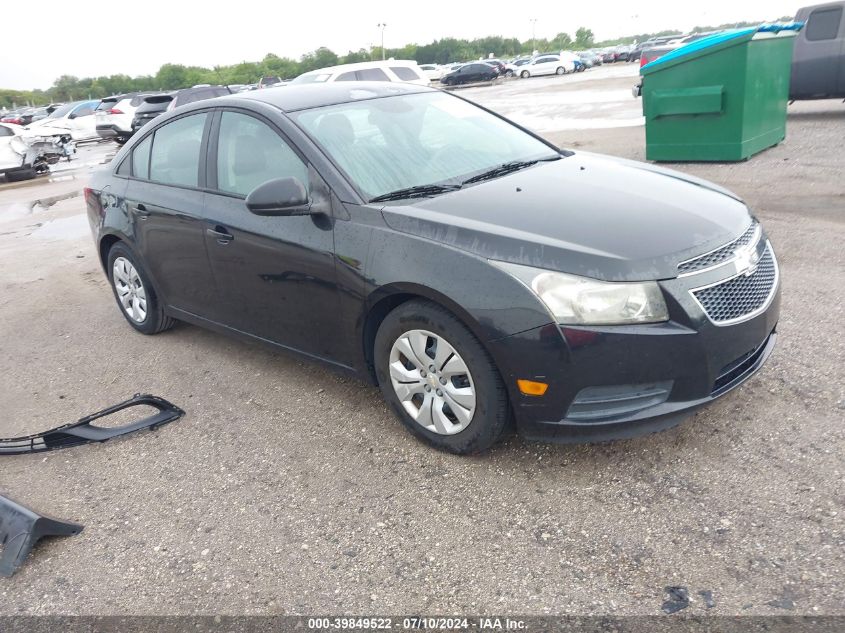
(84, 432)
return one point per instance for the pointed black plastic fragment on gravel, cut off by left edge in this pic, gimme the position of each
(21, 528)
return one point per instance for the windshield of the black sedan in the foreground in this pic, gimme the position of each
(388, 144)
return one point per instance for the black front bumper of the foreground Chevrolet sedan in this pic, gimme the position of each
(614, 382)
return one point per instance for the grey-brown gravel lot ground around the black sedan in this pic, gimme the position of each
(290, 489)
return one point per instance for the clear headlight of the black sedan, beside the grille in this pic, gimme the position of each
(583, 301)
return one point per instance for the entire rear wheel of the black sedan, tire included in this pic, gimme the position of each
(134, 292)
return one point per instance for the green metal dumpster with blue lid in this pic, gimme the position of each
(721, 98)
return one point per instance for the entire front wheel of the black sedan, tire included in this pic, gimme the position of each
(439, 380)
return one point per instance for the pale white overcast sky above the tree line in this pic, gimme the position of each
(123, 36)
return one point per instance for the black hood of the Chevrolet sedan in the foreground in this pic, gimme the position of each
(584, 214)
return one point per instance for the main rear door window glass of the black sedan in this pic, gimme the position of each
(175, 157)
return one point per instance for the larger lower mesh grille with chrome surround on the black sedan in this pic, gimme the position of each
(740, 297)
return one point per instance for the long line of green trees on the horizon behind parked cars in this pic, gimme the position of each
(175, 76)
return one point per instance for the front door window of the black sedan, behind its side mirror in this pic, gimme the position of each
(249, 153)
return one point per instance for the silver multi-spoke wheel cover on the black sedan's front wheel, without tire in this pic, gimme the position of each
(432, 382)
